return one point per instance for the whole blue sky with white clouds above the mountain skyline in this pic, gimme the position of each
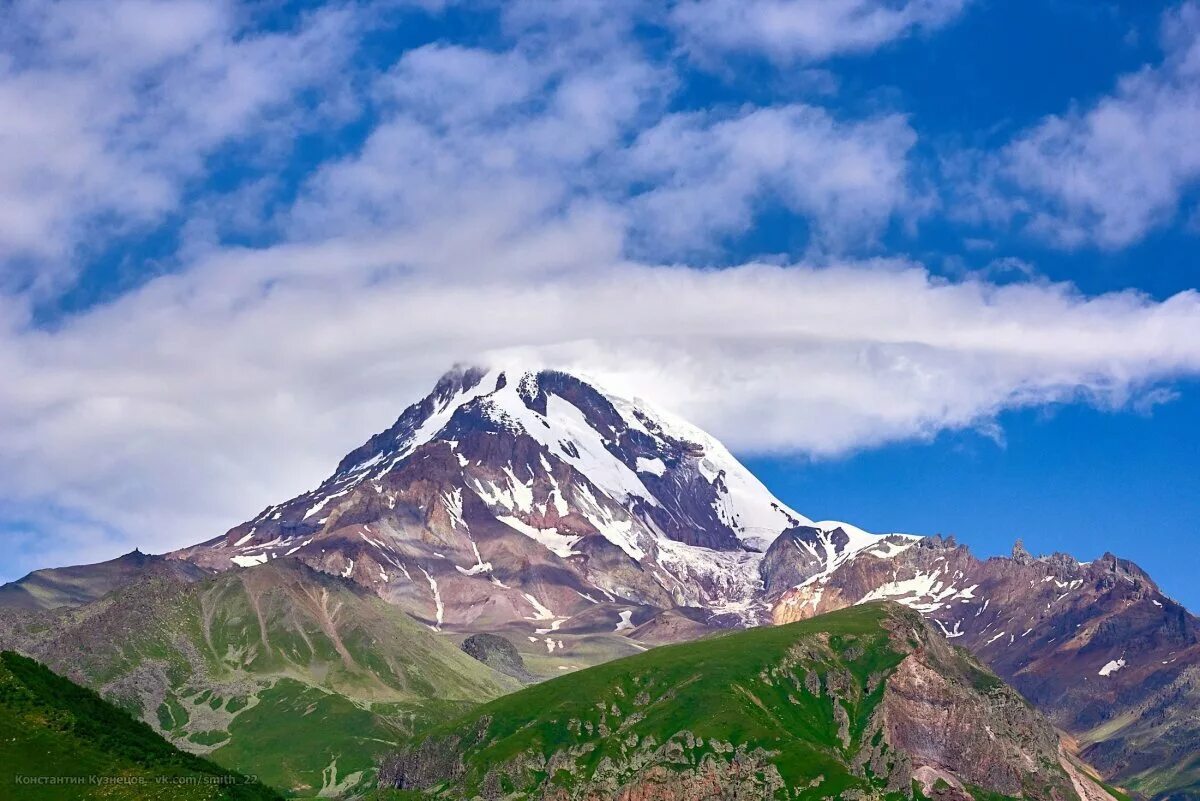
(928, 266)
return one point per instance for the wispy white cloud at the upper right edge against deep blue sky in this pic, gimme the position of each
(1111, 173)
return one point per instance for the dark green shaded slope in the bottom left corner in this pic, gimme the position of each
(52, 728)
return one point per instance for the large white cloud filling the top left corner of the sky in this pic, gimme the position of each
(109, 107)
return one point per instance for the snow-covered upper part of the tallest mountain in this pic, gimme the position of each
(623, 447)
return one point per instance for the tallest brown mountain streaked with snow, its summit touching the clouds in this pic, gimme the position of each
(513, 497)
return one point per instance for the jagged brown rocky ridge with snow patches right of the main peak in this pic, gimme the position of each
(1097, 647)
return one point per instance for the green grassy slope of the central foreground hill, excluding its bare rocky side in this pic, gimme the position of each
(705, 698)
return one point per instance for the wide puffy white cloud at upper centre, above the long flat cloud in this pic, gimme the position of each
(524, 134)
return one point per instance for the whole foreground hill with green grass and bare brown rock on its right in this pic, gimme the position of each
(867, 703)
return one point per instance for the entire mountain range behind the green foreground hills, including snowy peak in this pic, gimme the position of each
(580, 527)
